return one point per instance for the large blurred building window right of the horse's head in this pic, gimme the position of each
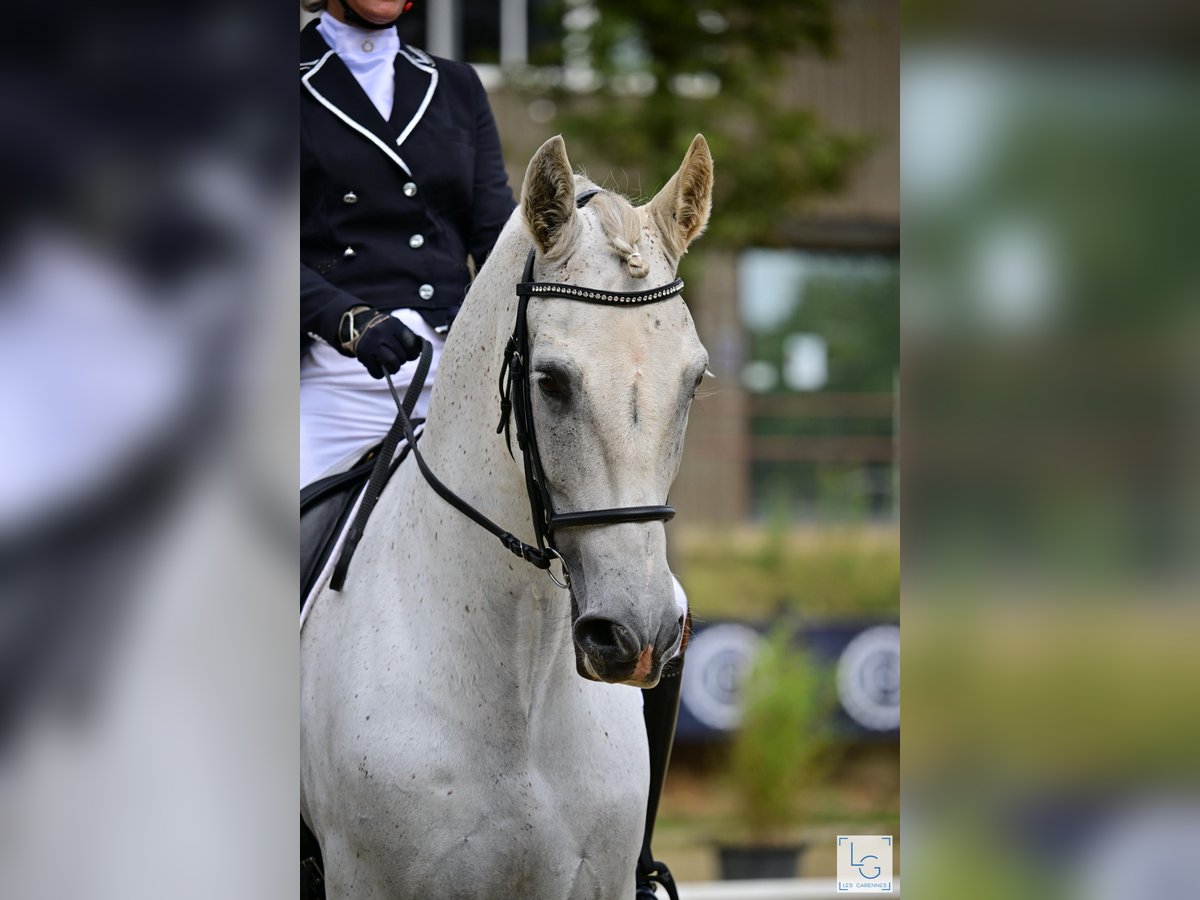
(823, 359)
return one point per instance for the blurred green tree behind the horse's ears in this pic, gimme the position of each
(641, 77)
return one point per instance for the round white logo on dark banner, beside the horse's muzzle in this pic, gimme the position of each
(718, 658)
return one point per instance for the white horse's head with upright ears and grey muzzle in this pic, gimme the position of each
(610, 391)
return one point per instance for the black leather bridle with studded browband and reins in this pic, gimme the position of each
(517, 407)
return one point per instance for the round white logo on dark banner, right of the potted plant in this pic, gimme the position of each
(869, 679)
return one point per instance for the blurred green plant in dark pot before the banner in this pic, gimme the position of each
(783, 747)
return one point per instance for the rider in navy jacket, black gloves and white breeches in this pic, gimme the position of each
(401, 179)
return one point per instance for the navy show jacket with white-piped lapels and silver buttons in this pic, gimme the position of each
(389, 211)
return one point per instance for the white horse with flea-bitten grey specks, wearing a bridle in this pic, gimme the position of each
(449, 747)
